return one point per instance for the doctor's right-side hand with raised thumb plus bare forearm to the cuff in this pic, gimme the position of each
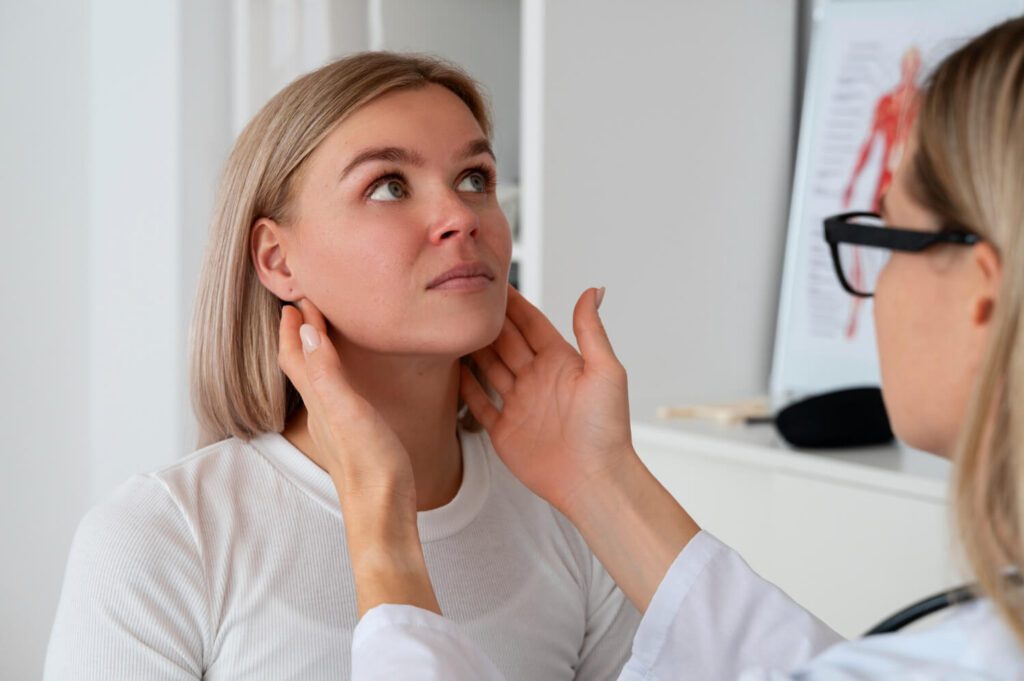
(564, 430)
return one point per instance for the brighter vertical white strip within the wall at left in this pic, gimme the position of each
(136, 247)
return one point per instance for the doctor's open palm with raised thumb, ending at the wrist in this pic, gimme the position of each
(565, 420)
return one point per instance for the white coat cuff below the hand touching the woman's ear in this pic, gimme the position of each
(410, 644)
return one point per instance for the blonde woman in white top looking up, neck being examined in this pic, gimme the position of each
(364, 193)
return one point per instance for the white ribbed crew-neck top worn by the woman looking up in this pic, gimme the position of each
(232, 565)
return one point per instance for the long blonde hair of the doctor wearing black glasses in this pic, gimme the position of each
(969, 171)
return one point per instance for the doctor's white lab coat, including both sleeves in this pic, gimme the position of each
(714, 619)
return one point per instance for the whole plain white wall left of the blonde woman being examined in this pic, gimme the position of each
(114, 130)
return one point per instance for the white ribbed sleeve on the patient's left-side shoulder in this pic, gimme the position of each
(134, 604)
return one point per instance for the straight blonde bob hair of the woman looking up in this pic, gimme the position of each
(237, 387)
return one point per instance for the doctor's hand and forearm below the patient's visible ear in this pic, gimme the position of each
(367, 462)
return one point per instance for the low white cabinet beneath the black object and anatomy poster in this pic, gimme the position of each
(852, 536)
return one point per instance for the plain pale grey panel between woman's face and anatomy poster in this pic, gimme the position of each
(668, 134)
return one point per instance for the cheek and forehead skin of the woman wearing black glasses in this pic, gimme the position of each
(930, 325)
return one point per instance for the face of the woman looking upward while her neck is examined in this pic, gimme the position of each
(398, 237)
